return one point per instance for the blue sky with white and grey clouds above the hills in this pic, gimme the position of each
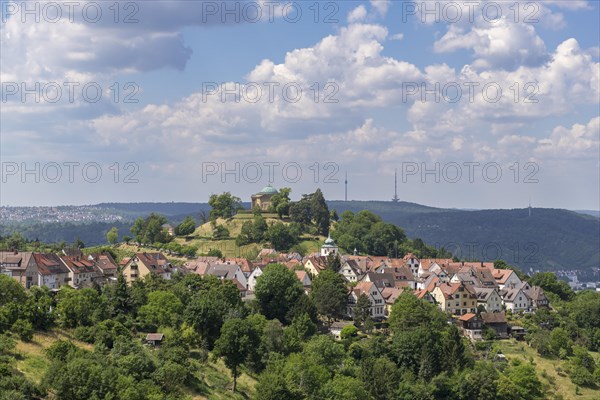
(471, 104)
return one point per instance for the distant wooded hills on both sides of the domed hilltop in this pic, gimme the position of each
(549, 239)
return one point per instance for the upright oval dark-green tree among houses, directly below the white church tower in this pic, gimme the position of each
(330, 295)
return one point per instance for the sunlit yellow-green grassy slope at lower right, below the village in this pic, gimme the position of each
(555, 379)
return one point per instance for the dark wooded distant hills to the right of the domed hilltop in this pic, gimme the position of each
(549, 239)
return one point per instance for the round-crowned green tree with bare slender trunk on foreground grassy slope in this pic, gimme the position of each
(235, 345)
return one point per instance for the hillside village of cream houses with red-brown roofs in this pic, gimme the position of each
(473, 293)
